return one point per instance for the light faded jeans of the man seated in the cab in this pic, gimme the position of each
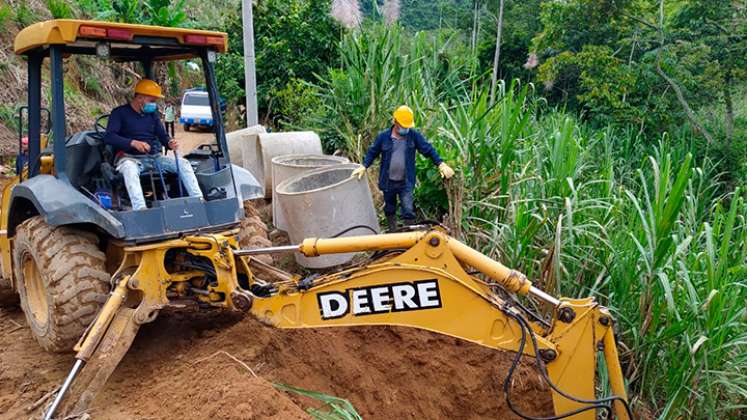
(131, 166)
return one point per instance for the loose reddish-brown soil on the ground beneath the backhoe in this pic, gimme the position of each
(221, 365)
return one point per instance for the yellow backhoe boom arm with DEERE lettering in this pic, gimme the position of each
(427, 287)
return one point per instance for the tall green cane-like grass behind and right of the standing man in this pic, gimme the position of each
(637, 223)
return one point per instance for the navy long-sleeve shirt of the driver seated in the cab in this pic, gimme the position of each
(126, 124)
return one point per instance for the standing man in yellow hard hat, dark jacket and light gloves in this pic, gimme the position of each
(397, 146)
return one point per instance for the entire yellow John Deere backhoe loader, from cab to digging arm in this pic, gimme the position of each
(89, 272)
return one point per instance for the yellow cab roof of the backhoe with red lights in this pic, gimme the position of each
(126, 42)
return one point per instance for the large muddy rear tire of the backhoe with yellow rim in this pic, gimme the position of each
(62, 281)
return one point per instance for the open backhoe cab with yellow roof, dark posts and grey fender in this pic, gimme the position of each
(75, 160)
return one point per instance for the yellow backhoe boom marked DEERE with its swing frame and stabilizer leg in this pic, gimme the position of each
(425, 285)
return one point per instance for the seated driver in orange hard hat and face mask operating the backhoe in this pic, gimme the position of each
(138, 135)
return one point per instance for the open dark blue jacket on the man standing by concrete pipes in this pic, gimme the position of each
(383, 146)
